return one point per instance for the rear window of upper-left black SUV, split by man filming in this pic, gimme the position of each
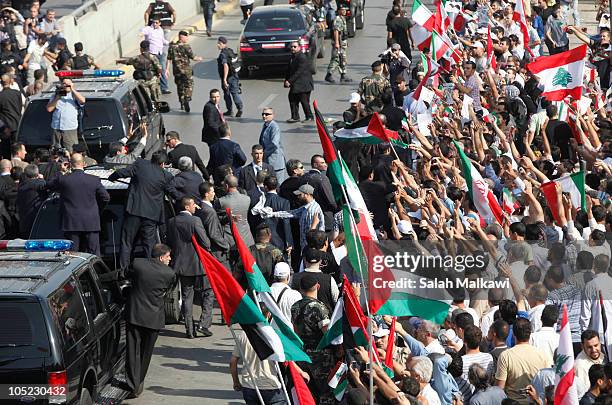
(101, 123)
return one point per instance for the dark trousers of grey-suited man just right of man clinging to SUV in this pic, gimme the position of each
(190, 286)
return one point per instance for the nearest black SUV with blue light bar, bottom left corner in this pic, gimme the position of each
(63, 324)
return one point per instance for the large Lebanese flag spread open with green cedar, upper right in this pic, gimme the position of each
(561, 75)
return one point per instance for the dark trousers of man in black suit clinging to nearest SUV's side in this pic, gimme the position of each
(140, 344)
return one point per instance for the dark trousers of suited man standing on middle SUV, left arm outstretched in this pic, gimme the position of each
(132, 224)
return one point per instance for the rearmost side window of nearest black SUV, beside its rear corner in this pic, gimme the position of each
(69, 313)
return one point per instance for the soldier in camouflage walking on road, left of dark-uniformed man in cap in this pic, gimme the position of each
(181, 54)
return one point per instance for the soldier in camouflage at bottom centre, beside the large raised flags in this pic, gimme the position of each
(310, 318)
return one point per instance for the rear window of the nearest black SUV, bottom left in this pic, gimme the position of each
(24, 331)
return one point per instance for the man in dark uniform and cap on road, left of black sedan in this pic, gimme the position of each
(229, 77)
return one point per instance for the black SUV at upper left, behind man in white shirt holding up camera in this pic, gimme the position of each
(112, 106)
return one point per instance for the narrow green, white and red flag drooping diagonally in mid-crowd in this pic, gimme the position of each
(479, 192)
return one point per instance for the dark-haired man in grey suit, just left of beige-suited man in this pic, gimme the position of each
(220, 240)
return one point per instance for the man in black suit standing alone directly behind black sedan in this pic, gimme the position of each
(299, 81)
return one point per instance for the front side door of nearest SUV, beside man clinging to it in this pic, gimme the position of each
(101, 321)
